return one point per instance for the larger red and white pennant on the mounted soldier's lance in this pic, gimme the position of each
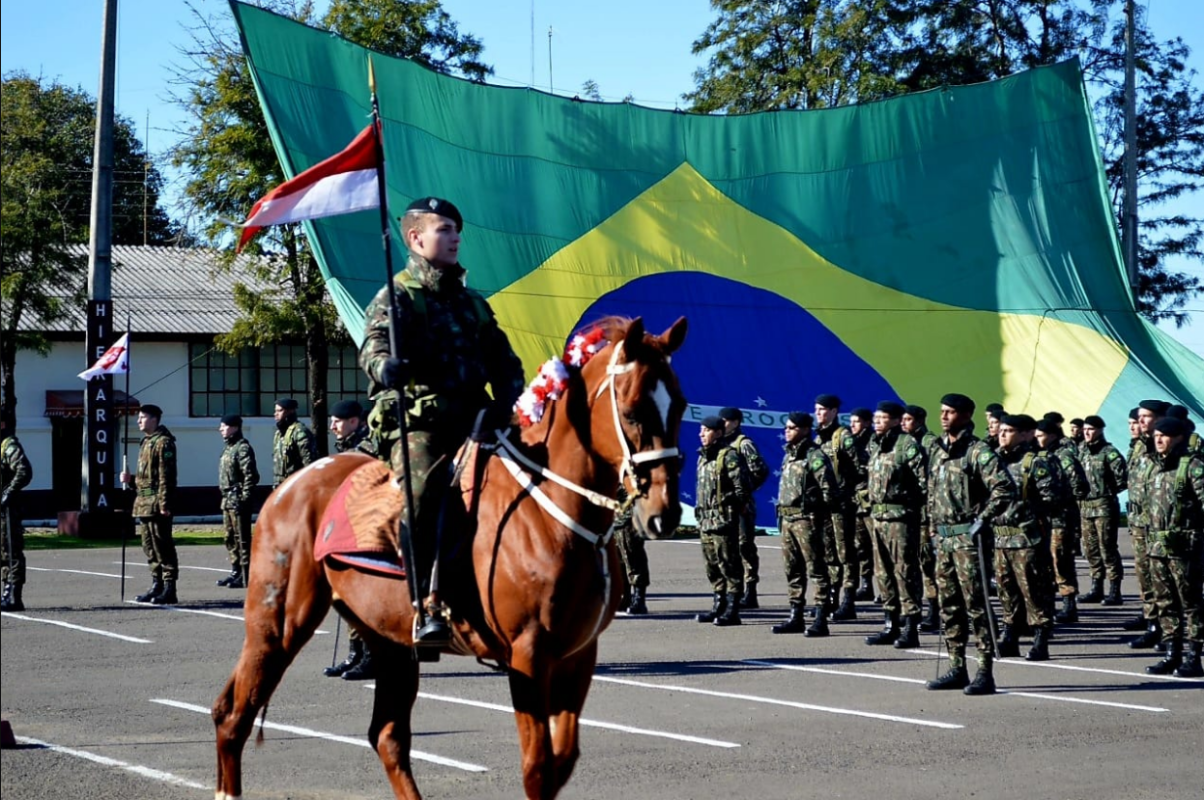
(344, 184)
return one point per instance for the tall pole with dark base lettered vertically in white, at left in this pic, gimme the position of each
(98, 492)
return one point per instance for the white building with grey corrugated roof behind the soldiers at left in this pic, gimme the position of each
(178, 304)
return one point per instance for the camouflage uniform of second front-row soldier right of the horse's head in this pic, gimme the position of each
(807, 489)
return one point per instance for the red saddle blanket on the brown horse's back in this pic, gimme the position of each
(361, 525)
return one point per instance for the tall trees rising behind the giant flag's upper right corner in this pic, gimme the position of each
(768, 55)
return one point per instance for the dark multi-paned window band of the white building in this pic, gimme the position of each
(251, 383)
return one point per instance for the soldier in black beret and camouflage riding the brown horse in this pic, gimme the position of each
(448, 348)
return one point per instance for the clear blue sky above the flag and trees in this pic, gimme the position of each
(627, 46)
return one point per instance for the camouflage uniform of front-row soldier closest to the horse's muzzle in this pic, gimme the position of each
(724, 489)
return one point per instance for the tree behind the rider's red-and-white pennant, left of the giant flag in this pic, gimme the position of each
(228, 157)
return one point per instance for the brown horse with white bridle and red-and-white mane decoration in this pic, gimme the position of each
(533, 590)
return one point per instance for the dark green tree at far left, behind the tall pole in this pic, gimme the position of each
(49, 133)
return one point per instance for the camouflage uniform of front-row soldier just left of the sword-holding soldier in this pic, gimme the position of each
(899, 487)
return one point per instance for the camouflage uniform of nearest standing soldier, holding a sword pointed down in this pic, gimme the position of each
(967, 481)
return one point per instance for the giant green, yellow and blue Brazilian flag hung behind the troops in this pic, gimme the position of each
(957, 240)
